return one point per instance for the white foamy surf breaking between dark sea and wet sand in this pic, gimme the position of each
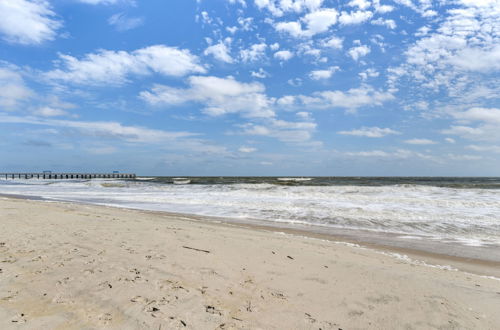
(465, 216)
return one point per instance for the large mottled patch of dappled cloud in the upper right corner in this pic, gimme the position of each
(460, 55)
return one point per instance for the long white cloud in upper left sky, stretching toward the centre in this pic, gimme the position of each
(113, 67)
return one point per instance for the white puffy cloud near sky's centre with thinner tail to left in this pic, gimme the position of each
(219, 96)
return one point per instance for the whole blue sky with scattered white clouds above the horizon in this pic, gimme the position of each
(251, 87)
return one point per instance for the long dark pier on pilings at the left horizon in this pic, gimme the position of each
(60, 176)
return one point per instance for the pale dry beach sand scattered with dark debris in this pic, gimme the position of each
(66, 266)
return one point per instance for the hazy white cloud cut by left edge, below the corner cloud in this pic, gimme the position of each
(13, 89)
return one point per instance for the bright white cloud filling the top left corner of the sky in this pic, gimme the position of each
(27, 22)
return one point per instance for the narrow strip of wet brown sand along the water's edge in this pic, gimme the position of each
(477, 266)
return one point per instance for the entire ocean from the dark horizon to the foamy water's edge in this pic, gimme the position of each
(455, 216)
